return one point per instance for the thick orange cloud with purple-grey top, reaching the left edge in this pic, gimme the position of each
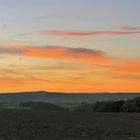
(59, 53)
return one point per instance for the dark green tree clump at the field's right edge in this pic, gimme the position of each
(131, 105)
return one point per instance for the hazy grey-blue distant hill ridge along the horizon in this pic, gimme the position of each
(64, 99)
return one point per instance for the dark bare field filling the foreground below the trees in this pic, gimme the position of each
(68, 126)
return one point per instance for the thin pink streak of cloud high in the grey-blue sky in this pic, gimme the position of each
(119, 31)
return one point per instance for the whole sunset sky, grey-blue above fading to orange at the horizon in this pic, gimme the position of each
(70, 45)
